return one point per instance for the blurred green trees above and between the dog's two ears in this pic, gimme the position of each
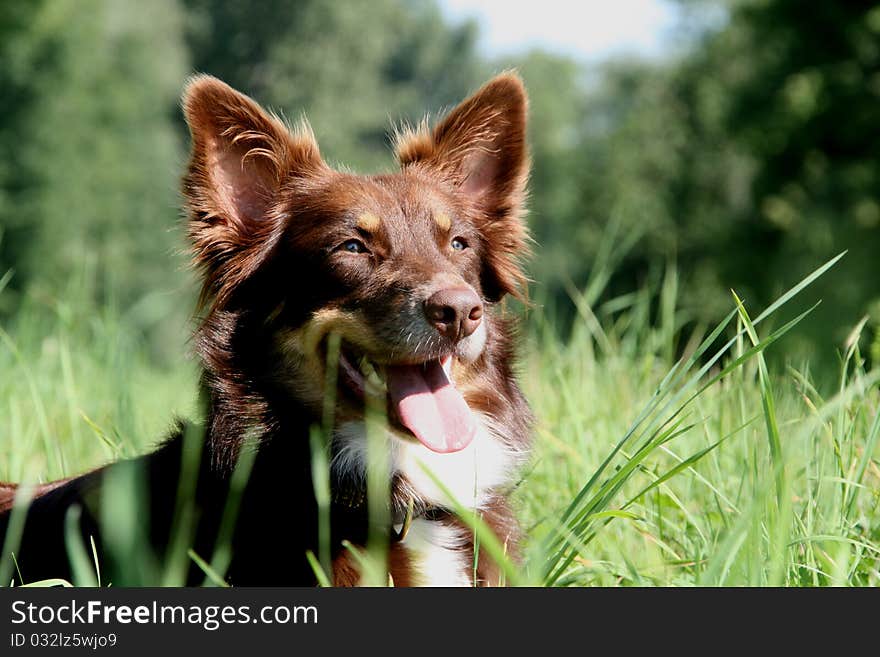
(351, 68)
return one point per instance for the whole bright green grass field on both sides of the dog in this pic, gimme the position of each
(661, 458)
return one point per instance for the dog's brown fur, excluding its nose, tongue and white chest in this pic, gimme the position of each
(268, 220)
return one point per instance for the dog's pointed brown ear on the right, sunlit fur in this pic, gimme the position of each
(480, 149)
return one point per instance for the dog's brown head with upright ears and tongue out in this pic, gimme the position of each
(403, 268)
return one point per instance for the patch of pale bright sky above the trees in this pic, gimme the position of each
(585, 29)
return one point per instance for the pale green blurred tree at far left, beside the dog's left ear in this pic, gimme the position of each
(91, 153)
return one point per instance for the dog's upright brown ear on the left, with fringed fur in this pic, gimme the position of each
(241, 157)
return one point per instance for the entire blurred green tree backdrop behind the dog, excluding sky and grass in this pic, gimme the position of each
(746, 158)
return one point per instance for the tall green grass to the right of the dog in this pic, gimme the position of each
(654, 472)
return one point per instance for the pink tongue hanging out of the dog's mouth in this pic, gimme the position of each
(428, 404)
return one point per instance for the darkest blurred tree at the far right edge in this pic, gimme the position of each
(804, 108)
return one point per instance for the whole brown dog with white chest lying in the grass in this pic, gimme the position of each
(389, 285)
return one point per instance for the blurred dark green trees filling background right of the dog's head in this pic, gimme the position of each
(749, 160)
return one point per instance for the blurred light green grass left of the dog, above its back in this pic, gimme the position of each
(80, 387)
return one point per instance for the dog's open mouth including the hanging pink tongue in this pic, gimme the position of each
(422, 397)
